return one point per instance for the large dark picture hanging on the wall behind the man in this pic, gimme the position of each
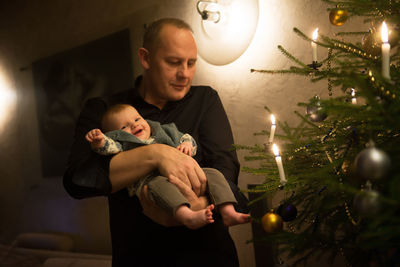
(65, 81)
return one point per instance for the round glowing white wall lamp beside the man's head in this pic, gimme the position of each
(224, 29)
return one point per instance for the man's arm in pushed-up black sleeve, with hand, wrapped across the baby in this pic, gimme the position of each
(89, 174)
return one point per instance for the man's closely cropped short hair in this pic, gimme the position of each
(151, 36)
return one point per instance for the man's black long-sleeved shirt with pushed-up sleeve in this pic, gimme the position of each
(135, 238)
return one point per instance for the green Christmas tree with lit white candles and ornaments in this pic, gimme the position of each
(316, 154)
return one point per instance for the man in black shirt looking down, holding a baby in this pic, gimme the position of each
(164, 93)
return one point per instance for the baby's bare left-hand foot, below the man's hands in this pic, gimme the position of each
(194, 219)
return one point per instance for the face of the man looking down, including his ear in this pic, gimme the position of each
(172, 64)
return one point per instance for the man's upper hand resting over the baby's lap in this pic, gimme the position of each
(172, 163)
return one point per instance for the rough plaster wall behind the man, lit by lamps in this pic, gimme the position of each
(30, 30)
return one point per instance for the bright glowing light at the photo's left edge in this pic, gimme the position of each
(7, 100)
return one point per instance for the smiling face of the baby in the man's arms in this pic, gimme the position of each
(130, 121)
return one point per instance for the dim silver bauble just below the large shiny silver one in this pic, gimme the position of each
(367, 203)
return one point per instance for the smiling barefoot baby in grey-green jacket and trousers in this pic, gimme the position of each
(126, 129)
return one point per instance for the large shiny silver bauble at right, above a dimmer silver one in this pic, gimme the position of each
(372, 164)
